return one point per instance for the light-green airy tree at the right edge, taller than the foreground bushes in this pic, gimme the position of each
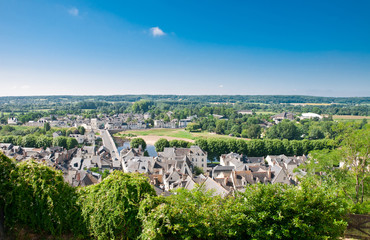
(346, 168)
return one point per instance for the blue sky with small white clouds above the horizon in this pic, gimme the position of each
(273, 47)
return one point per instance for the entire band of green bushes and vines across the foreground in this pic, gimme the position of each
(124, 206)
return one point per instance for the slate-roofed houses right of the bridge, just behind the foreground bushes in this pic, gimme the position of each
(174, 168)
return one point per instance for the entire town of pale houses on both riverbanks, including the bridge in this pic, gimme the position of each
(168, 170)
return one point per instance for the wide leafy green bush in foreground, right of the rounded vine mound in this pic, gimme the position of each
(262, 212)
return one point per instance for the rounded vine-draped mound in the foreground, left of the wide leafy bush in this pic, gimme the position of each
(110, 208)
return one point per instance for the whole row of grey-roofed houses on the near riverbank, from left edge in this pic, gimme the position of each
(171, 169)
